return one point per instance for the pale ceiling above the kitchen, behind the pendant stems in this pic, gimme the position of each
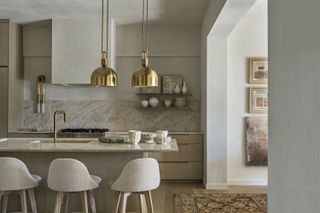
(123, 11)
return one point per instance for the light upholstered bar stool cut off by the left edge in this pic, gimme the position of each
(16, 178)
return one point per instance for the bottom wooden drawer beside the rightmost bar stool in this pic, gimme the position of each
(181, 171)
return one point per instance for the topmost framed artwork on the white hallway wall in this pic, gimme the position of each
(258, 70)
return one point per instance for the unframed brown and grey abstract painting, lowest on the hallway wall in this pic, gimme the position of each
(256, 141)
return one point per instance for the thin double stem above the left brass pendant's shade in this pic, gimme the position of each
(104, 47)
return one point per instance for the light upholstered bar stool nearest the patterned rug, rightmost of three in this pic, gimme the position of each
(139, 176)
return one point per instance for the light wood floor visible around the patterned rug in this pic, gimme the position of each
(163, 196)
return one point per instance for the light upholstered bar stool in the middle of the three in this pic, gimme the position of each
(67, 176)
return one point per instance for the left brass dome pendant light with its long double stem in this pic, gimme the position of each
(104, 76)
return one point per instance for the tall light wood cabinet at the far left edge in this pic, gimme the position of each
(11, 77)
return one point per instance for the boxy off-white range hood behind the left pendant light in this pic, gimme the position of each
(76, 49)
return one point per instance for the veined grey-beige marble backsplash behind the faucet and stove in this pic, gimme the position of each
(120, 115)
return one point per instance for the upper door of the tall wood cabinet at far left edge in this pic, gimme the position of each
(4, 43)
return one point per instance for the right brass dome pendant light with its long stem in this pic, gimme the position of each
(145, 76)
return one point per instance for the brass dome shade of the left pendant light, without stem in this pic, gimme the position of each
(104, 76)
